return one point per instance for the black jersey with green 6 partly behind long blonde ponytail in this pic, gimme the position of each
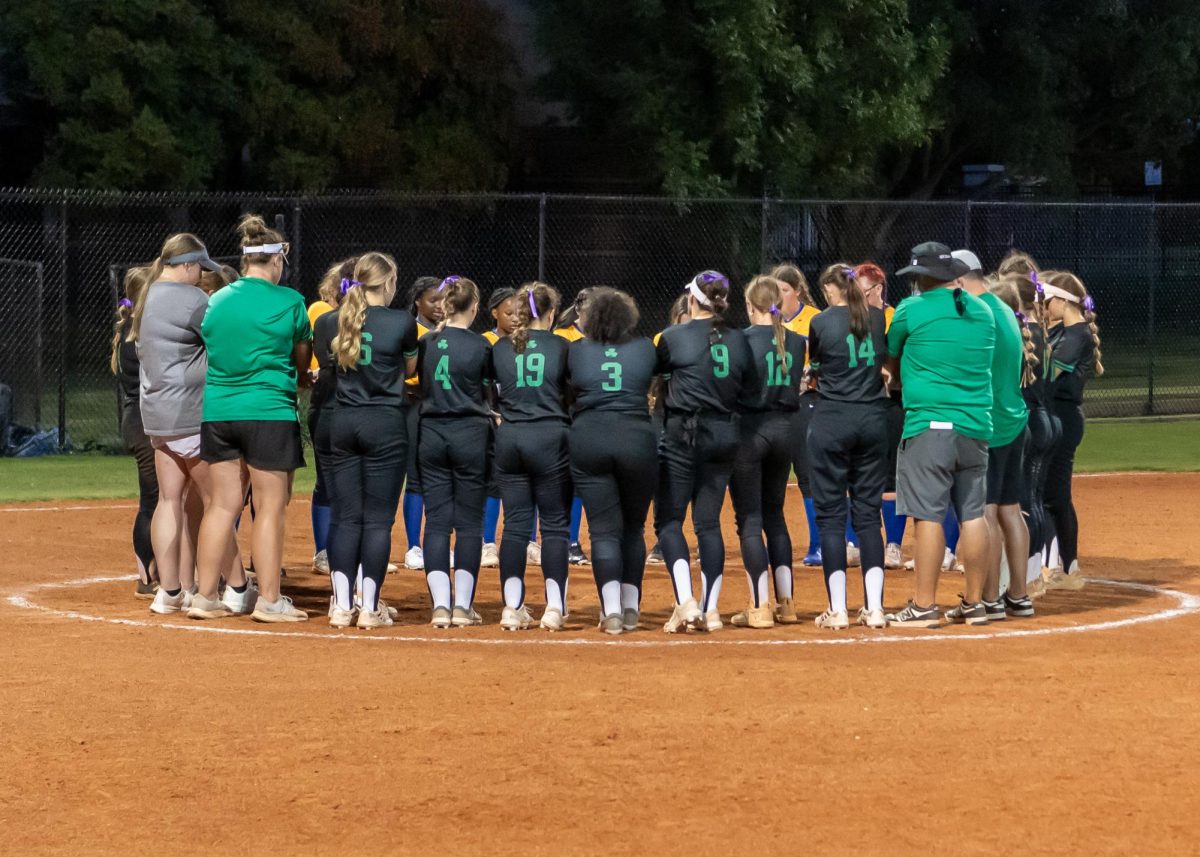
(389, 339)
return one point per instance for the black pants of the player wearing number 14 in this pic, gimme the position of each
(849, 452)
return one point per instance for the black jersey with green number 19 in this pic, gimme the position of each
(531, 386)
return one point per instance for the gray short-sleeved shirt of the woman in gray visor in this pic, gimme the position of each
(173, 359)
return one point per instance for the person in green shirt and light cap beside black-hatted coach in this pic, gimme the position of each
(1006, 453)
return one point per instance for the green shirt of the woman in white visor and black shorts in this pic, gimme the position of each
(250, 332)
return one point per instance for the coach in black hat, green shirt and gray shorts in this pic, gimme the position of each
(941, 343)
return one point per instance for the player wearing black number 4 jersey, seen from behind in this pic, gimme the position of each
(454, 373)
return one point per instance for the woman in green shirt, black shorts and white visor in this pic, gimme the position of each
(260, 347)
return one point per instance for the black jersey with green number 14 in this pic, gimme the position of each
(848, 370)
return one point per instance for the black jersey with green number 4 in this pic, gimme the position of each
(454, 371)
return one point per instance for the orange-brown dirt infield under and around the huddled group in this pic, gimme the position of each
(134, 740)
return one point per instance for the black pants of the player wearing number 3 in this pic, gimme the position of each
(616, 484)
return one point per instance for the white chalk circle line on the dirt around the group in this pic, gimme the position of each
(1186, 604)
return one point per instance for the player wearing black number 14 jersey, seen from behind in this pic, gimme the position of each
(848, 441)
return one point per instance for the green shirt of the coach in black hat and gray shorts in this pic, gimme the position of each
(945, 362)
